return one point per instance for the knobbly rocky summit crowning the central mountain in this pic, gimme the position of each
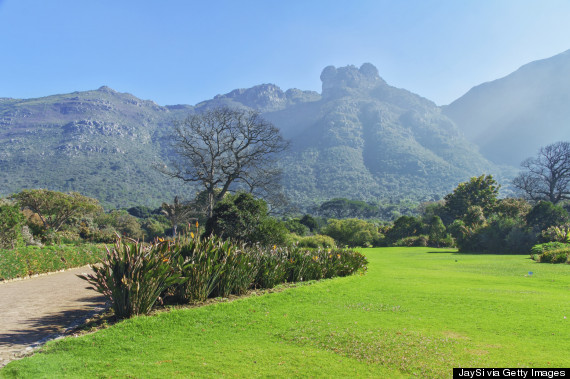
(335, 79)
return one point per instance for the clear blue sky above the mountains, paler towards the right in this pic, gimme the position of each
(183, 52)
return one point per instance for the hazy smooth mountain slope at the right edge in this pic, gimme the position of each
(512, 117)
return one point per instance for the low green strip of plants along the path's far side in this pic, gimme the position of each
(31, 260)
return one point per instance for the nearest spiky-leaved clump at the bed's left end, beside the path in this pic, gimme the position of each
(133, 276)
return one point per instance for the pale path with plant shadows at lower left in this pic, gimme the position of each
(35, 310)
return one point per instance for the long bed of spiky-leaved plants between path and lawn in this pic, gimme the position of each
(190, 269)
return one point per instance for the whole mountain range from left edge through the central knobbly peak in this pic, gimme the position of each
(360, 138)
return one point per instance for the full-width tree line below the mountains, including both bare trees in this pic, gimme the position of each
(231, 154)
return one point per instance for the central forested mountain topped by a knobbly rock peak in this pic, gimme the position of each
(364, 139)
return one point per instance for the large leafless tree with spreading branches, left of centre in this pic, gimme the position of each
(225, 148)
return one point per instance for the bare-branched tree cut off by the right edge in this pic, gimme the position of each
(547, 177)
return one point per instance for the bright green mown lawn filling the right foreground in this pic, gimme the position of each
(417, 311)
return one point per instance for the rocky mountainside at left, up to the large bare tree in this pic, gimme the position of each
(100, 143)
